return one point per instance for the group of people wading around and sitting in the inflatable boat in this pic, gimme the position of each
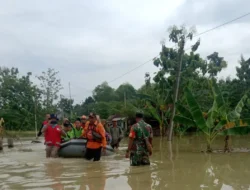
(98, 135)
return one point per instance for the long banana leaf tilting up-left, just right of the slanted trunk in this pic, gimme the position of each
(196, 111)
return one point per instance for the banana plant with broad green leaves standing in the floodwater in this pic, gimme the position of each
(217, 117)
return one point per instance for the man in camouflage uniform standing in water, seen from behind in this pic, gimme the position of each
(139, 146)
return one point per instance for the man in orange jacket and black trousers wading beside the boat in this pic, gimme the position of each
(96, 140)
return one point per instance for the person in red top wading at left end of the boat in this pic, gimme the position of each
(53, 133)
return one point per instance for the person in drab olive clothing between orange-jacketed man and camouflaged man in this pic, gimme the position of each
(116, 134)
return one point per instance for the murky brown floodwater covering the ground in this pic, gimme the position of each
(178, 167)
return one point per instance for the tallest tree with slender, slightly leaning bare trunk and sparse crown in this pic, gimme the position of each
(171, 61)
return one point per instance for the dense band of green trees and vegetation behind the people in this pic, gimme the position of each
(21, 99)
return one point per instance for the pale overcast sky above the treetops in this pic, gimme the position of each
(90, 42)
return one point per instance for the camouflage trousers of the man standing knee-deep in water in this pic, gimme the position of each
(138, 158)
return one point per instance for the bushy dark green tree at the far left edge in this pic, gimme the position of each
(18, 97)
